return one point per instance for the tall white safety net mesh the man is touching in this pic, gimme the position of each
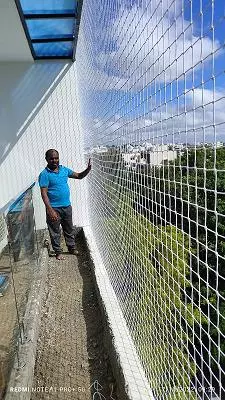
(151, 87)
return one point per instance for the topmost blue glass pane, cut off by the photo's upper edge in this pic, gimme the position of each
(48, 6)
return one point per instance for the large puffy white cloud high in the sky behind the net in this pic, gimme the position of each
(150, 45)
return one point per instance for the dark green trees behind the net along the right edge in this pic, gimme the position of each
(189, 194)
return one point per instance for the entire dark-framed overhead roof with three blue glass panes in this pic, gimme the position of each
(51, 26)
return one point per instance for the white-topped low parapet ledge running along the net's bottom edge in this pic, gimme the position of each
(132, 383)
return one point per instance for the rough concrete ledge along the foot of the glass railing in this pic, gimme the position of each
(21, 378)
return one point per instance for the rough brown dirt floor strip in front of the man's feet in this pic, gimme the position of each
(72, 362)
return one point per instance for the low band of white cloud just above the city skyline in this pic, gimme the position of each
(203, 118)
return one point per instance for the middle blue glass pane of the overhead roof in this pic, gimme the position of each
(50, 28)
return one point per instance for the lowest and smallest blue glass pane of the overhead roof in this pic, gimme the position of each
(55, 49)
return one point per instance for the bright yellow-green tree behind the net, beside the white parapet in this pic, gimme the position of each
(158, 259)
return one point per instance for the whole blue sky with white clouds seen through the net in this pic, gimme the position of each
(154, 70)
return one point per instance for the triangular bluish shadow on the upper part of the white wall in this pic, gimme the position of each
(24, 88)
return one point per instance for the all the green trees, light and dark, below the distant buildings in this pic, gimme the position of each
(166, 229)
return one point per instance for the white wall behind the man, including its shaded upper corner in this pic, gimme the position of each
(40, 111)
